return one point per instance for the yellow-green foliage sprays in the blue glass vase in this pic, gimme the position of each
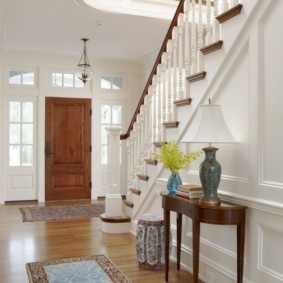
(173, 158)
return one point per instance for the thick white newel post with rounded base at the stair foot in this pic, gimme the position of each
(114, 220)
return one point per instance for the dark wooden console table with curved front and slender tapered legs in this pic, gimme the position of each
(224, 214)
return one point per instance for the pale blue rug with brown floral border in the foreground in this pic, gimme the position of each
(92, 269)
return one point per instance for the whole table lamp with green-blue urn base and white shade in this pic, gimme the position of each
(212, 129)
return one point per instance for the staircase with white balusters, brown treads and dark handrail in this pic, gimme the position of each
(190, 60)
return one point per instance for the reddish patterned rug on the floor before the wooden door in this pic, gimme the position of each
(70, 212)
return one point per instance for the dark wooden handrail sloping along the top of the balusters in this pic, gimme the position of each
(180, 9)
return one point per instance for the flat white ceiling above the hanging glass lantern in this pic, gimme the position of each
(56, 26)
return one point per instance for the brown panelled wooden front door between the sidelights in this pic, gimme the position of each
(67, 148)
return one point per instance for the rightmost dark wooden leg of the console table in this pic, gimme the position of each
(240, 251)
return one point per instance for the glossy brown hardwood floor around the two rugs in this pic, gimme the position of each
(38, 241)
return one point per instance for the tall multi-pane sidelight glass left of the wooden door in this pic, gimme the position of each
(21, 133)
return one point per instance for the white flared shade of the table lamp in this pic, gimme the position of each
(212, 127)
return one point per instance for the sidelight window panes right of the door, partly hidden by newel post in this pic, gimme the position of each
(111, 115)
